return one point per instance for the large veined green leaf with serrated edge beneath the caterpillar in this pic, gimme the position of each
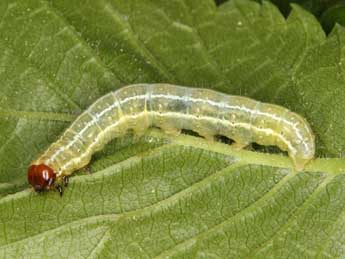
(156, 195)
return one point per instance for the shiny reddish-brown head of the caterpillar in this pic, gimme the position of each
(41, 177)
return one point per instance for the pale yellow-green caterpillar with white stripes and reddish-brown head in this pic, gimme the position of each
(171, 108)
